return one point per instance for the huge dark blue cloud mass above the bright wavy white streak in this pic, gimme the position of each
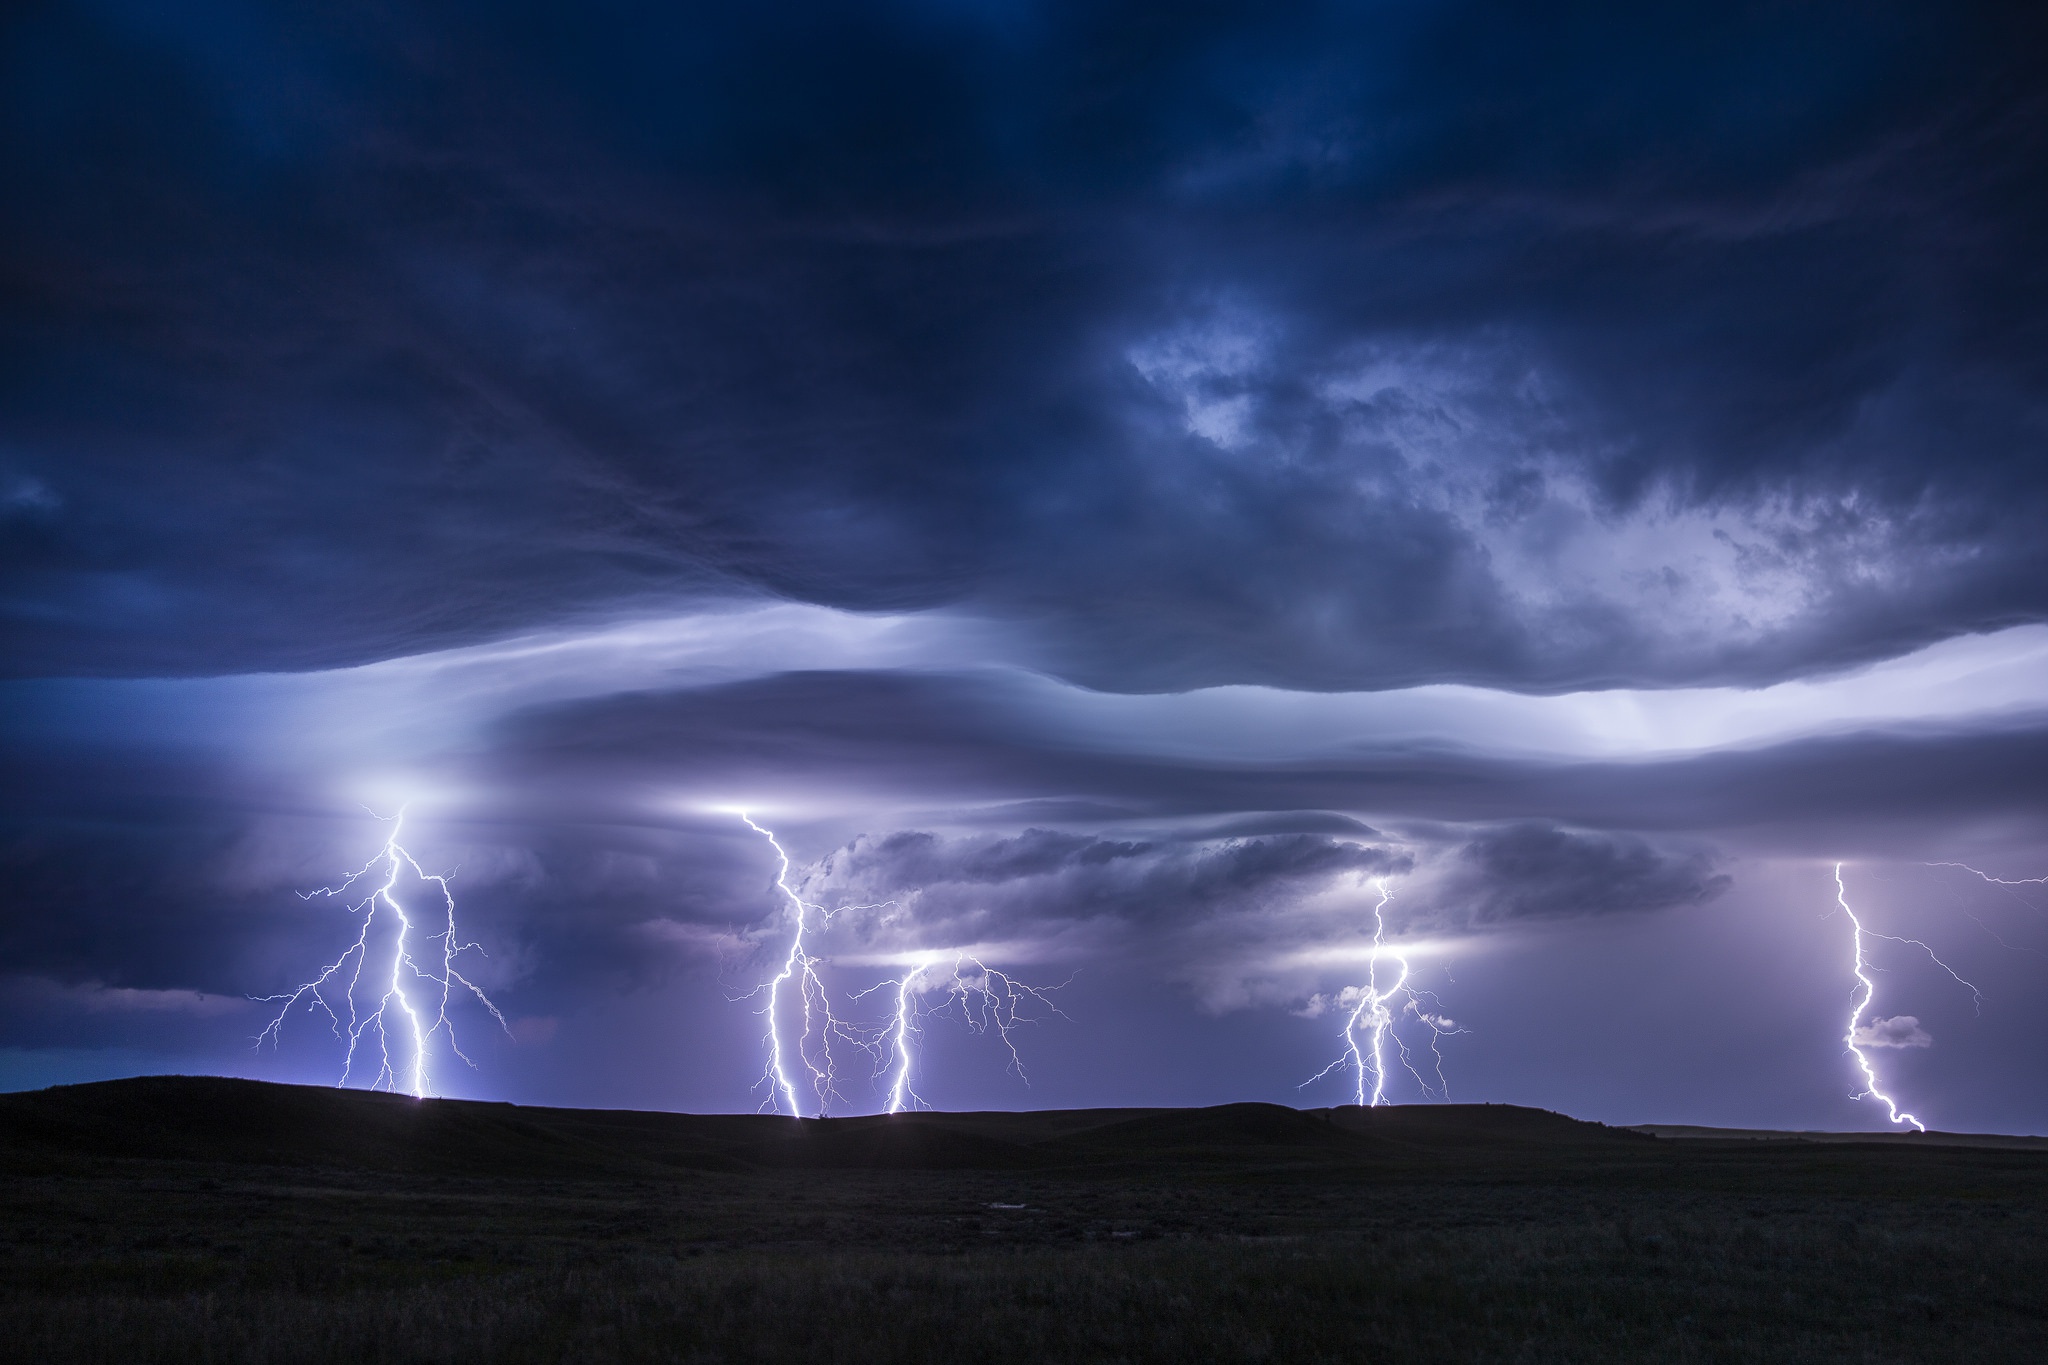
(1312, 345)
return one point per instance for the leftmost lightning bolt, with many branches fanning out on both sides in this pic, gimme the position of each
(392, 1002)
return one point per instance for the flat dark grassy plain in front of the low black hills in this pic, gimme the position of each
(1736, 1262)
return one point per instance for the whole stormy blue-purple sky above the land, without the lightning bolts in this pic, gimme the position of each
(1117, 490)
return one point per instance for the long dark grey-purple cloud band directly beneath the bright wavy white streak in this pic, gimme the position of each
(902, 740)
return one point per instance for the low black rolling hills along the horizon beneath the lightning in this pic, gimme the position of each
(257, 1122)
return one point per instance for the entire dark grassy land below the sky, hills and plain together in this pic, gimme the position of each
(1236, 1235)
